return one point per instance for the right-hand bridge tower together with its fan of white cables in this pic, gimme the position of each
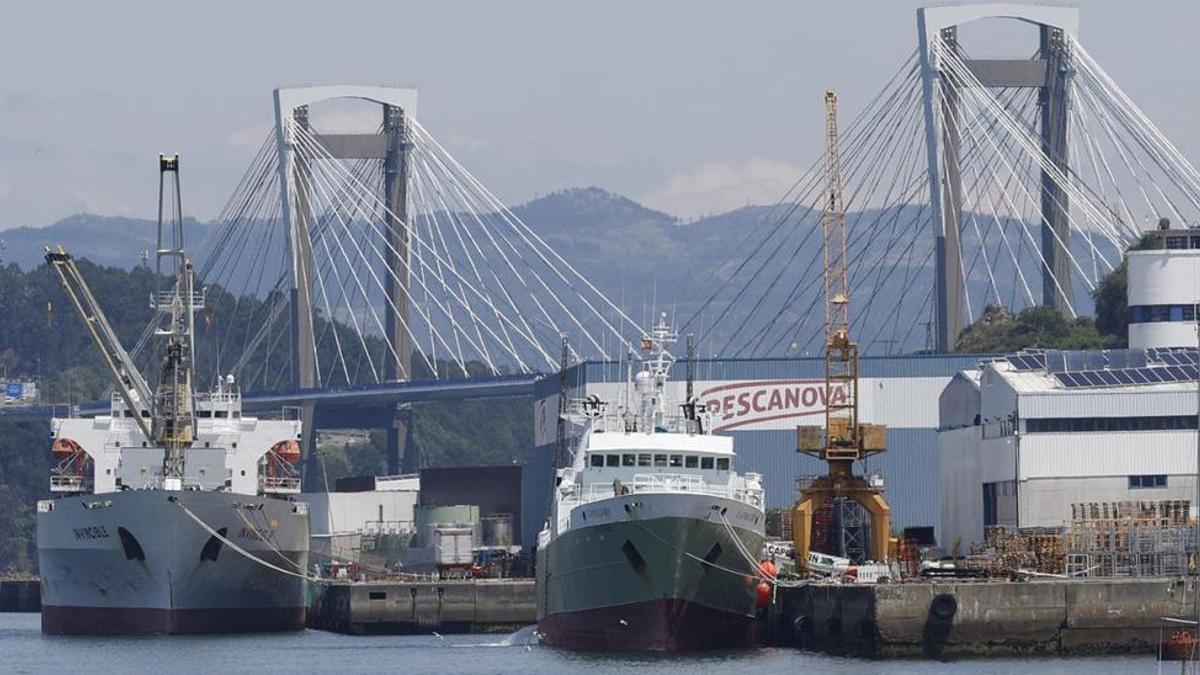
(1015, 182)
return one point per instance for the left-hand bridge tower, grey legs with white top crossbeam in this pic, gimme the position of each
(392, 147)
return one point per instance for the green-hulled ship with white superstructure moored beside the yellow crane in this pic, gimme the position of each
(653, 539)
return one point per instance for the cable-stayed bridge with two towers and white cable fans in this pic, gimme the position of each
(355, 272)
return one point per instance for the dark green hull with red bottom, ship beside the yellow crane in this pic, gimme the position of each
(664, 575)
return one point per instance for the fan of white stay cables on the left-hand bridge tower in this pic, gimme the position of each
(481, 291)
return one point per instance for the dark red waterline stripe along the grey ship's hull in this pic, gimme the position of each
(140, 622)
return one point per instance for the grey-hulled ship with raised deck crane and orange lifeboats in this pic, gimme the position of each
(175, 512)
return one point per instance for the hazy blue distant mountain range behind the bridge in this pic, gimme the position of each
(646, 260)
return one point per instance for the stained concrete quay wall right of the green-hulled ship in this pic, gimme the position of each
(980, 618)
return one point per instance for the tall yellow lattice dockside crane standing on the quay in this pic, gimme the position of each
(845, 439)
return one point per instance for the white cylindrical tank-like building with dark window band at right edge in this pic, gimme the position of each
(1163, 289)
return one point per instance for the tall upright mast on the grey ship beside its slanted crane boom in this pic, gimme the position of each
(175, 413)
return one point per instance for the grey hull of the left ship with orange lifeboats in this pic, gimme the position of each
(136, 563)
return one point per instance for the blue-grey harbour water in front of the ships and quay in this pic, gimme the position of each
(25, 649)
